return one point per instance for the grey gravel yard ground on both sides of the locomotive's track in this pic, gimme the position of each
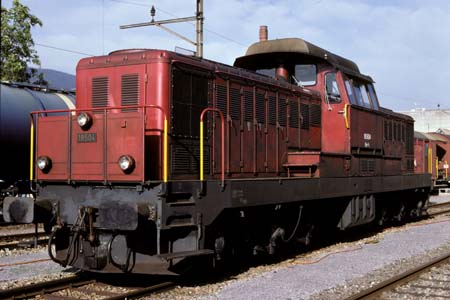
(335, 271)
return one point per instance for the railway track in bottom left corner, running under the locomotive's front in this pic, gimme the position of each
(79, 287)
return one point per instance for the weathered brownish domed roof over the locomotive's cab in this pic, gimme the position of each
(291, 48)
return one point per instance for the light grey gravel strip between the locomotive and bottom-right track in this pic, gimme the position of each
(303, 281)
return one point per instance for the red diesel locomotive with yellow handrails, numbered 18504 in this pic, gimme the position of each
(169, 157)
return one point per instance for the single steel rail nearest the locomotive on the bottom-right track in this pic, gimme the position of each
(393, 282)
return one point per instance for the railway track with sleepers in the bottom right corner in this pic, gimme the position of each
(418, 283)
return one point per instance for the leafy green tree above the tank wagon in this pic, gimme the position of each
(17, 48)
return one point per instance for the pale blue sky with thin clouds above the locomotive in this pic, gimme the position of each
(404, 45)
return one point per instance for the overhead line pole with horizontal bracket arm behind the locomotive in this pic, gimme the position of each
(198, 26)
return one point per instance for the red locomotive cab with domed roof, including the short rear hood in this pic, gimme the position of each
(359, 138)
